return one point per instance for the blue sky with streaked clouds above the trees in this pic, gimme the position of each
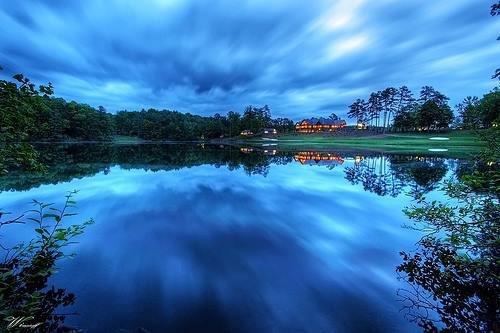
(302, 58)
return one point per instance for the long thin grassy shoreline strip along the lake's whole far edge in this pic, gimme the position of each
(456, 143)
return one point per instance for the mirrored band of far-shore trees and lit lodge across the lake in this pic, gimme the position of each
(378, 173)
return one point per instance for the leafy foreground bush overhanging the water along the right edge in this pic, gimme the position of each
(454, 272)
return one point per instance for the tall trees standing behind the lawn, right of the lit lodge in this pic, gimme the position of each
(397, 109)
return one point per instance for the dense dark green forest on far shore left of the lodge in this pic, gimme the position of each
(31, 114)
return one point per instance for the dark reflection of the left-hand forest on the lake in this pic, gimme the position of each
(66, 162)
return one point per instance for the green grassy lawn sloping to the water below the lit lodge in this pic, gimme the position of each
(459, 143)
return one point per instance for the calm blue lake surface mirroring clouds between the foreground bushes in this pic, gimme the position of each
(211, 239)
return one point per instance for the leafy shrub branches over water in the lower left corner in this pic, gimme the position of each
(26, 268)
